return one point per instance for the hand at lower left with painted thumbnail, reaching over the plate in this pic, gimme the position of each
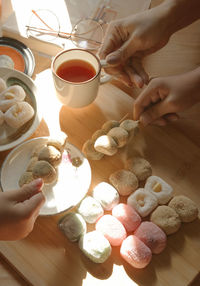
(19, 210)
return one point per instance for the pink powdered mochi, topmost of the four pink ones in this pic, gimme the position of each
(127, 216)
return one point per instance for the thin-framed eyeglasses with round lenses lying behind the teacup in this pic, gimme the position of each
(87, 33)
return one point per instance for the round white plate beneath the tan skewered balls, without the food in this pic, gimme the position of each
(70, 188)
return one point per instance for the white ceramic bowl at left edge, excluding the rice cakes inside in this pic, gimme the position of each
(10, 137)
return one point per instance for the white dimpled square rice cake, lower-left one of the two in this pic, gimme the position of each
(142, 201)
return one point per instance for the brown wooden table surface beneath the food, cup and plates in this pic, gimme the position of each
(174, 152)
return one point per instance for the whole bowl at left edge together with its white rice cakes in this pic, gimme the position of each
(19, 116)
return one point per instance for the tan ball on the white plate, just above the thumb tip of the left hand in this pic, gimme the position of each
(44, 170)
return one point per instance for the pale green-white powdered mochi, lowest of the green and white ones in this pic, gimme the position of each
(95, 246)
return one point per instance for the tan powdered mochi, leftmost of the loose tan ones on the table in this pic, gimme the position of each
(124, 181)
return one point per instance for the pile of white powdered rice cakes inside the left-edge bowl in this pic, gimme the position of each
(13, 109)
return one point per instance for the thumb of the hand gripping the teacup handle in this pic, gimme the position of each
(122, 54)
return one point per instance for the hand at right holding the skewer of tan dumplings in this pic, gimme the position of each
(164, 97)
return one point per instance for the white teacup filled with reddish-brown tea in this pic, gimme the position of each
(77, 93)
